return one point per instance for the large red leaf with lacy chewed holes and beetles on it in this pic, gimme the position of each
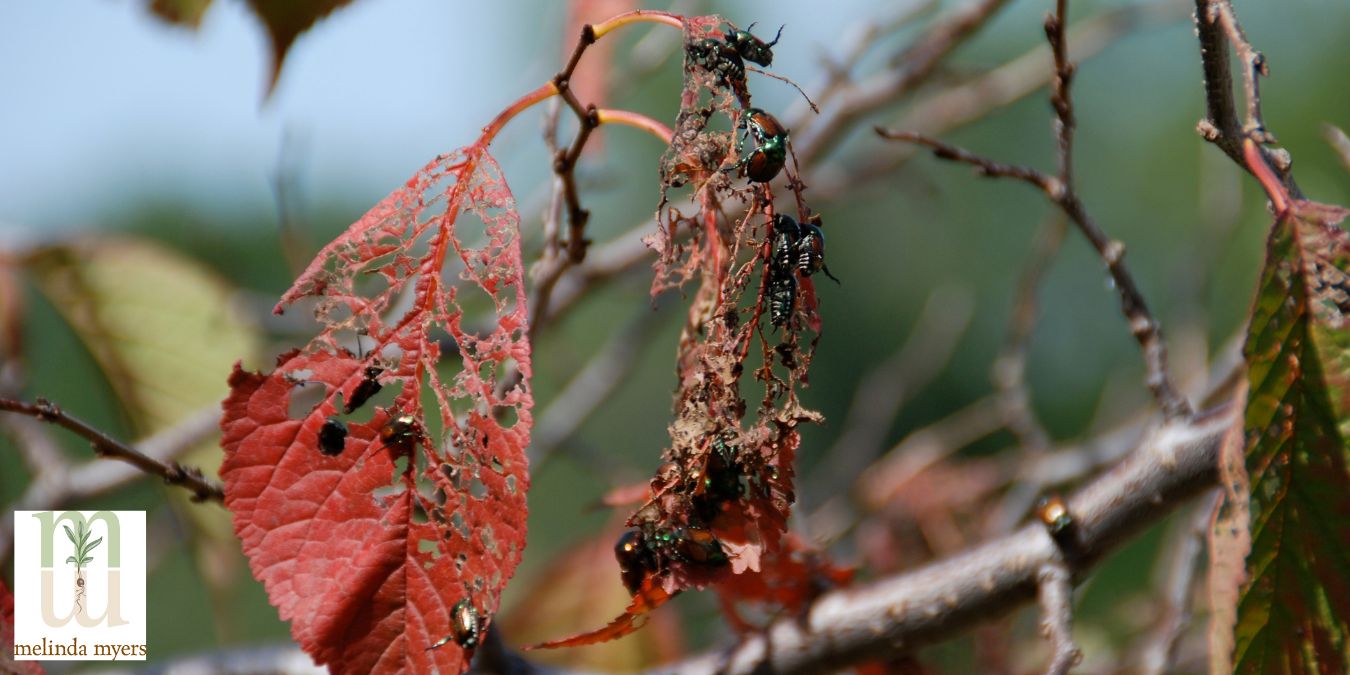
(349, 545)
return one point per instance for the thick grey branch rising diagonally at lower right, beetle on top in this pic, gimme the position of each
(902, 614)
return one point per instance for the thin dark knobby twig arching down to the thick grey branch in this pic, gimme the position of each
(1136, 311)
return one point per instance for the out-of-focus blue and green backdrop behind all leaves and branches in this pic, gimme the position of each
(118, 125)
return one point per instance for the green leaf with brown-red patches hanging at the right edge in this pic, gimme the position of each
(1294, 611)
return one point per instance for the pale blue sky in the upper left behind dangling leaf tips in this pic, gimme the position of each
(102, 103)
